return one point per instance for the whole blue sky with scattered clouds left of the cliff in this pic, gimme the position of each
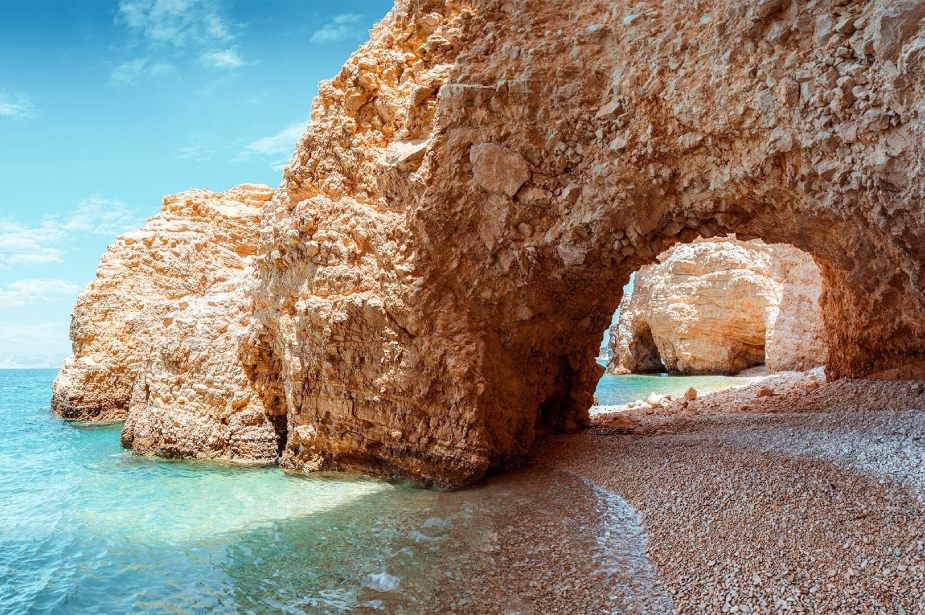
(107, 106)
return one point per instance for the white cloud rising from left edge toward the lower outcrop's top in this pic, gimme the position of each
(23, 244)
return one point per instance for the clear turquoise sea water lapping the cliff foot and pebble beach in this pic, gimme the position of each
(86, 527)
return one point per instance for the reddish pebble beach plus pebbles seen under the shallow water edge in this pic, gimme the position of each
(782, 506)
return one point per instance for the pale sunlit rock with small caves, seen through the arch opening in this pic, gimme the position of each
(718, 307)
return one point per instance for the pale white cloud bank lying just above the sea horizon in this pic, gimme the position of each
(47, 346)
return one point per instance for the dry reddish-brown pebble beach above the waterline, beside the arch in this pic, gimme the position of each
(782, 506)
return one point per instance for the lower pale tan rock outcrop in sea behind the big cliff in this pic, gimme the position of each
(156, 335)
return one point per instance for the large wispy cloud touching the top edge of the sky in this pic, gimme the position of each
(175, 31)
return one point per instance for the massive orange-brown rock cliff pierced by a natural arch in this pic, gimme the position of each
(436, 267)
